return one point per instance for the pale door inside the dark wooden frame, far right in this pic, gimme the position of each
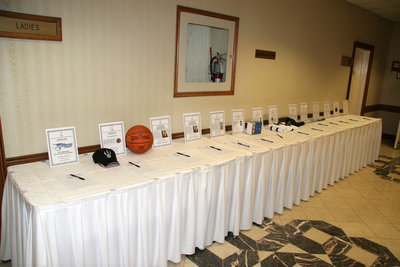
(358, 79)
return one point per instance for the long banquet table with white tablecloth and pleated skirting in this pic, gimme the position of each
(129, 216)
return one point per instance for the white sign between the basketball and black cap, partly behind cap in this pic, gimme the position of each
(112, 136)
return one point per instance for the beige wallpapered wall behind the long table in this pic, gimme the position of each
(116, 62)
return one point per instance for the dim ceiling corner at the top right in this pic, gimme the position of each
(388, 9)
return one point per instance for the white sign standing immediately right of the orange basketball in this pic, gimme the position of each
(161, 129)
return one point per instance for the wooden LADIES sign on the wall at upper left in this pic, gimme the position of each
(27, 26)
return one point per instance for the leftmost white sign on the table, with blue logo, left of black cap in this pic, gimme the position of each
(62, 146)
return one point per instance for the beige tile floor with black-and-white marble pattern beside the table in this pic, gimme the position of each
(356, 222)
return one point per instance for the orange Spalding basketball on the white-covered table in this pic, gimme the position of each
(139, 139)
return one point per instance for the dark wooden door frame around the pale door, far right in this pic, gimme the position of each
(371, 49)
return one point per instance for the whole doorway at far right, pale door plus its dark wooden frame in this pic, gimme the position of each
(360, 72)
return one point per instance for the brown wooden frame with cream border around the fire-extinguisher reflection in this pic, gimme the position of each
(218, 23)
